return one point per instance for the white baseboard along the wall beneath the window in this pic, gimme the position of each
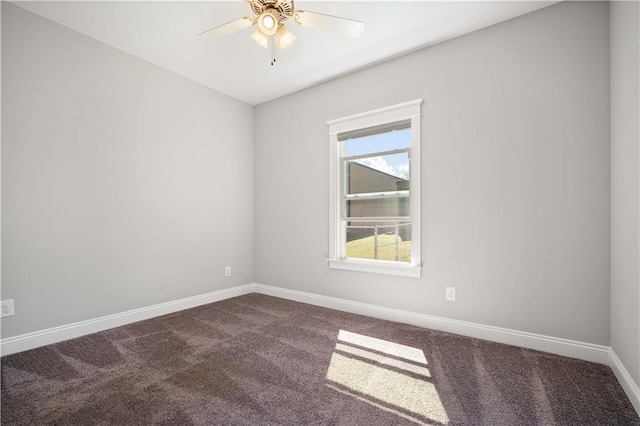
(555, 345)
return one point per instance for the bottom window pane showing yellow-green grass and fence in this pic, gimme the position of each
(382, 241)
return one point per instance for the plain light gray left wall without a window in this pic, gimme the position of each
(123, 185)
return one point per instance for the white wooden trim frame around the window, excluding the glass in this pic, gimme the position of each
(337, 244)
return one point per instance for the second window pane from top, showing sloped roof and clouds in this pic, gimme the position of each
(382, 173)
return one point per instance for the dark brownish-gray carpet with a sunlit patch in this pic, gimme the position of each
(260, 360)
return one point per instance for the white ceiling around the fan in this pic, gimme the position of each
(165, 33)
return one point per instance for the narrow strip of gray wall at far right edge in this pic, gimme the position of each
(625, 184)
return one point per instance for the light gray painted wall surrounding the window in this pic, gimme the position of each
(515, 177)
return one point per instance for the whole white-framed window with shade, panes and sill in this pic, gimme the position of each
(375, 191)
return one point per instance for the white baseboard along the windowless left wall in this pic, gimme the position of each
(70, 331)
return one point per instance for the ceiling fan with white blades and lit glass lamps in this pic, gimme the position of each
(270, 19)
